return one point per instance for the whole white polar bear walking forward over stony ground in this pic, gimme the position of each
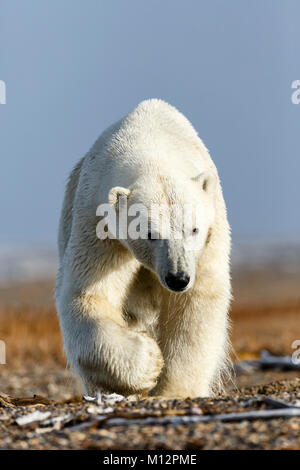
(147, 315)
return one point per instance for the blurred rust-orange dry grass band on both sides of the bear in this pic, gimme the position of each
(32, 334)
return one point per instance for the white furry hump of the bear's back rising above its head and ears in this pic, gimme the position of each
(154, 133)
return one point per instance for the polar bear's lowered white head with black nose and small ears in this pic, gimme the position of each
(165, 222)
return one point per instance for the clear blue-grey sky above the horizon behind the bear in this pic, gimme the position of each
(72, 67)
